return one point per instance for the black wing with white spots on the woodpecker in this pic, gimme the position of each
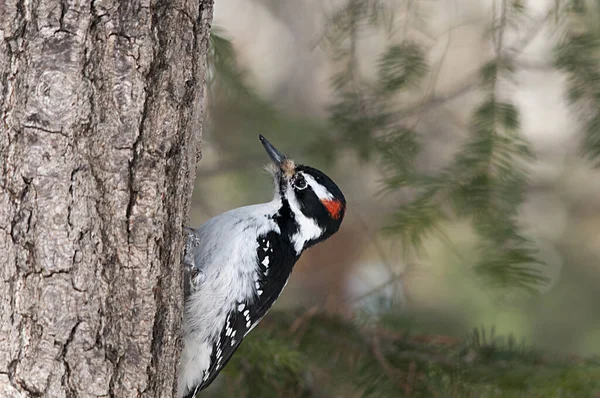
(274, 272)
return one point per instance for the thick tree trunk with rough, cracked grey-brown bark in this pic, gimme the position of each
(101, 105)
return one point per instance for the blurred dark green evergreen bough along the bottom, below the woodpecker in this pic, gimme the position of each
(342, 358)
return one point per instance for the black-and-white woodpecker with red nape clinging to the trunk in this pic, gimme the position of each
(237, 264)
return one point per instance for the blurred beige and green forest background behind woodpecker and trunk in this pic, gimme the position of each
(465, 136)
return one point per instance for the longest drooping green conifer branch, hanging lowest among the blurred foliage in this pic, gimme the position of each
(485, 184)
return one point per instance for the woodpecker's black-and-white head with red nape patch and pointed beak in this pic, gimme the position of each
(312, 204)
